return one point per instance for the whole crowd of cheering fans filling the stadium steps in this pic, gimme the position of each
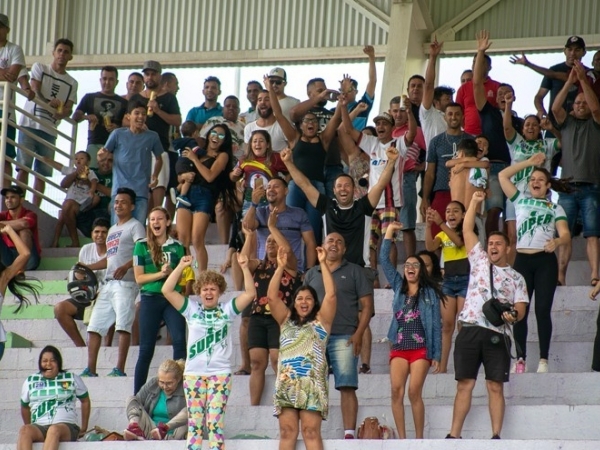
(310, 201)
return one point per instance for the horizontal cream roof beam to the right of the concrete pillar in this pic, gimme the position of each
(516, 45)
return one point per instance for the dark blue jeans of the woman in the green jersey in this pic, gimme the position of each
(153, 309)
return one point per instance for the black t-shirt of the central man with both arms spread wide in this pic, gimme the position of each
(353, 223)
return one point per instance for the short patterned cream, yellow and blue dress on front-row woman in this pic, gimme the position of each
(302, 381)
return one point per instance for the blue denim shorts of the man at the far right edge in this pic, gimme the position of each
(583, 201)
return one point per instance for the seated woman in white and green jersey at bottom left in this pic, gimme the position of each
(48, 404)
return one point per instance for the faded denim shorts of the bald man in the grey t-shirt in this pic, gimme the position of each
(342, 361)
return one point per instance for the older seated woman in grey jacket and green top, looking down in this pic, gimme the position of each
(159, 411)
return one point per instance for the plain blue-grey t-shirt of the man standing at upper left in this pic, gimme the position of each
(132, 166)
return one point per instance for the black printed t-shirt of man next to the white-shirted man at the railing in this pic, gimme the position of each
(101, 105)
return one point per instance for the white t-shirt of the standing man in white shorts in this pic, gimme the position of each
(119, 246)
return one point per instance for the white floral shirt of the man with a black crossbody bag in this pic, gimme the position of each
(509, 287)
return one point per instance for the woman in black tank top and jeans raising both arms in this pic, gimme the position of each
(309, 148)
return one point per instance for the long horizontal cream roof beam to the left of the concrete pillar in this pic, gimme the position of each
(195, 59)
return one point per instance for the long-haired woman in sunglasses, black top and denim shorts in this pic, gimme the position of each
(206, 174)
